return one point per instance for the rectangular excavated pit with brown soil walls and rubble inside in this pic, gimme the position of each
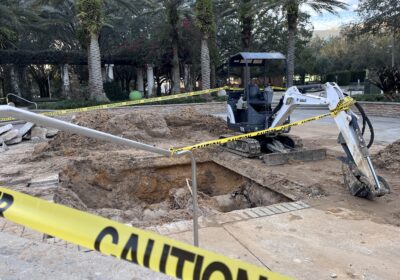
(145, 193)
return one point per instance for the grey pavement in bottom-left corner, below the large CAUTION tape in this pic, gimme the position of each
(22, 258)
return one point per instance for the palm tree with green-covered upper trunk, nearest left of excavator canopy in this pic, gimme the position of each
(206, 23)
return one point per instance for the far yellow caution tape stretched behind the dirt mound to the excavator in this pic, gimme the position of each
(125, 103)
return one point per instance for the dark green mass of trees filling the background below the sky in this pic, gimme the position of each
(187, 43)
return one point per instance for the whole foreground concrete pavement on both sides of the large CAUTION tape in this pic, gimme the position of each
(289, 238)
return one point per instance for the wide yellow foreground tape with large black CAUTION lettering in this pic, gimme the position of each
(147, 249)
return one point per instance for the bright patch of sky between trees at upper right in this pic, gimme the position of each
(327, 21)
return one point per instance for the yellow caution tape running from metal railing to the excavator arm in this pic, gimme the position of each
(343, 105)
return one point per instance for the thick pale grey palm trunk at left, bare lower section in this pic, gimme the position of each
(95, 76)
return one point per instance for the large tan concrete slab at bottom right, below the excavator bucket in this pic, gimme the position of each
(312, 244)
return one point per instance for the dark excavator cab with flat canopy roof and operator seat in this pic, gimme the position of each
(249, 109)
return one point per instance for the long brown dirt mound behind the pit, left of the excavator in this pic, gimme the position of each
(139, 125)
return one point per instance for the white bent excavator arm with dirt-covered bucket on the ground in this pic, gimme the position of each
(358, 171)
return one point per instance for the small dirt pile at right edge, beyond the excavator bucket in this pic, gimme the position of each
(389, 157)
